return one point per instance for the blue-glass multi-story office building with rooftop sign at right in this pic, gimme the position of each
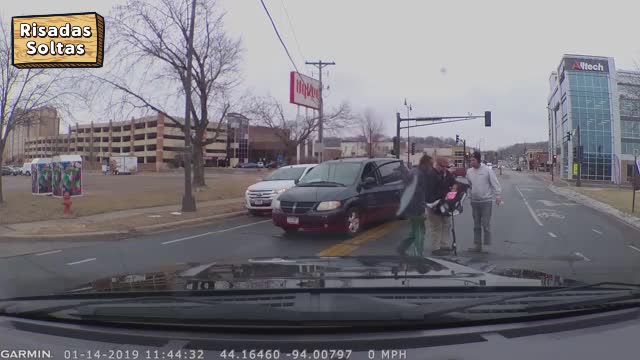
(587, 92)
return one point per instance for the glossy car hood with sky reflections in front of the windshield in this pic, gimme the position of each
(322, 272)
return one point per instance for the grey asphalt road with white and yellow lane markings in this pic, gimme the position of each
(535, 229)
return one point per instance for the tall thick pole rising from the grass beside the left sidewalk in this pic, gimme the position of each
(188, 202)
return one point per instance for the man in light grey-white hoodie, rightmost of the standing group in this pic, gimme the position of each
(484, 189)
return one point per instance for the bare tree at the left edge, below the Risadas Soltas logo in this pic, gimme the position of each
(24, 91)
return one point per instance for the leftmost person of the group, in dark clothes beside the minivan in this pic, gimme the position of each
(415, 210)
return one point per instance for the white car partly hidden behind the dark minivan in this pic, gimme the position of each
(259, 196)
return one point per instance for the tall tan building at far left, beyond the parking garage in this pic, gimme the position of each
(43, 124)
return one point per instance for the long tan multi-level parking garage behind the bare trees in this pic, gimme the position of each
(154, 140)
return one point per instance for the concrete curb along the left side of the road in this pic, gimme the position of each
(146, 229)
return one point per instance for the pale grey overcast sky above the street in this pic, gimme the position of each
(497, 54)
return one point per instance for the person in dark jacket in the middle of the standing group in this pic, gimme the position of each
(439, 183)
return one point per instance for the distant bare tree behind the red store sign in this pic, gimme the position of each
(293, 132)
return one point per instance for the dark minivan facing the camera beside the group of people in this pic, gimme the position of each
(342, 195)
